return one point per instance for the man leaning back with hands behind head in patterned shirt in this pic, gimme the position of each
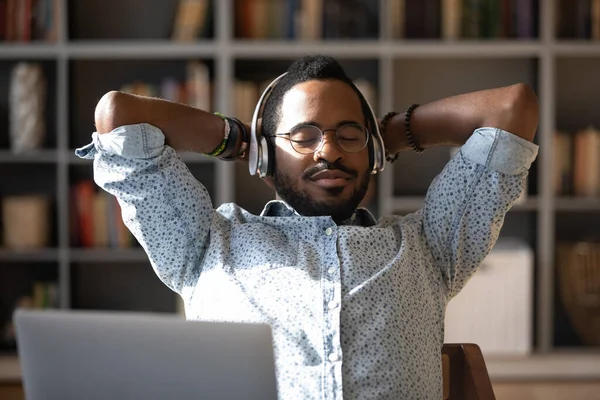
(356, 306)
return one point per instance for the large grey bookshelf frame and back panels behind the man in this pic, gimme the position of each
(89, 58)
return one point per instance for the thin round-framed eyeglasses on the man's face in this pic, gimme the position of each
(306, 139)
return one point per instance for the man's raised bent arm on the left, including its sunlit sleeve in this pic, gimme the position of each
(169, 212)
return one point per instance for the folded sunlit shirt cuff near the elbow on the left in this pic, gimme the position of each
(128, 141)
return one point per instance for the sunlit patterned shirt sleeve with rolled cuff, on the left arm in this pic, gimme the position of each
(167, 210)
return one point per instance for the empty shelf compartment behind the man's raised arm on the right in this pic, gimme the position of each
(422, 81)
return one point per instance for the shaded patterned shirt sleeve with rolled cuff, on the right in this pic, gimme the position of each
(467, 202)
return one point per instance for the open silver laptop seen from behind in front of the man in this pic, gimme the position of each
(109, 355)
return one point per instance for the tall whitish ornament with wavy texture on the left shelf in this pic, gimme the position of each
(27, 107)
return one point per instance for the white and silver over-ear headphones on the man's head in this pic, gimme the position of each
(262, 151)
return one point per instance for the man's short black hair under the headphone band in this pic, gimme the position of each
(310, 67)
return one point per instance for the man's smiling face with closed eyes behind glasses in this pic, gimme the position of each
(328, 181)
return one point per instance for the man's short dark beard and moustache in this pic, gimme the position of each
(308, 205)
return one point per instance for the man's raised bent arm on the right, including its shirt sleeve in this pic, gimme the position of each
(466, 204)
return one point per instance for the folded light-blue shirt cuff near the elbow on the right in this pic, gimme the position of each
(500, 150)
